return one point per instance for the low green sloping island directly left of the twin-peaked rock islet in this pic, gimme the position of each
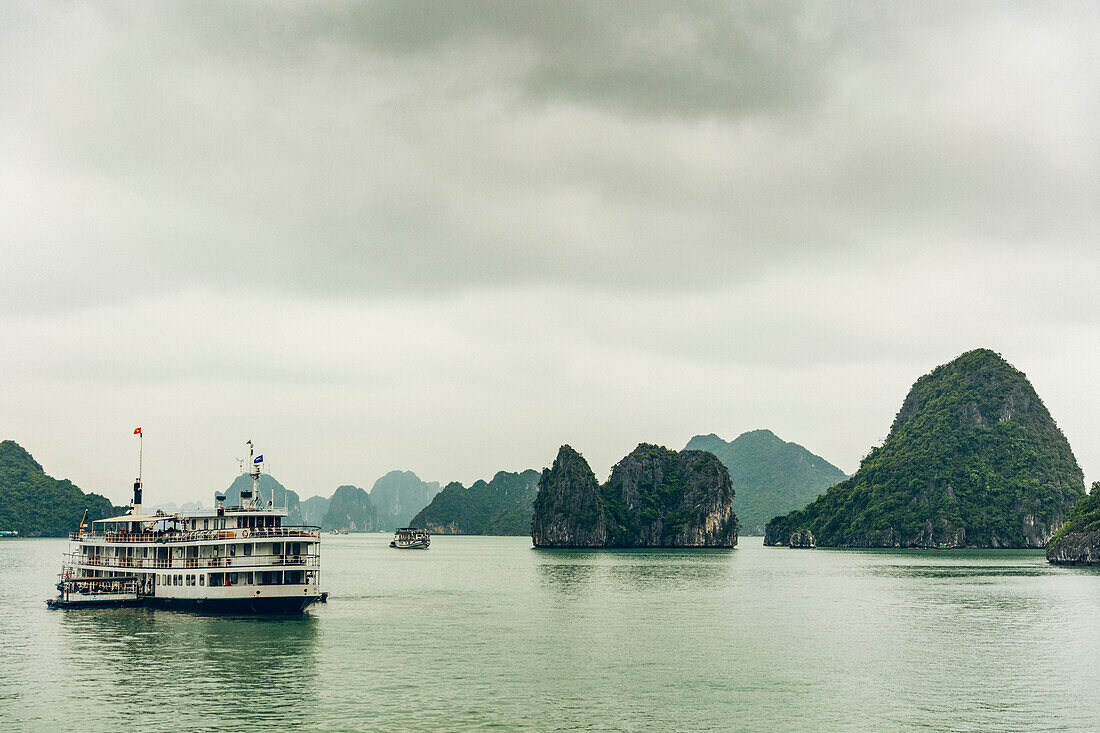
(501, 507)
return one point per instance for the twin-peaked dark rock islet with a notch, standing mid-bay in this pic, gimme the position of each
(655, 498)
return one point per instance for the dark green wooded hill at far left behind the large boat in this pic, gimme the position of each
(38, 506)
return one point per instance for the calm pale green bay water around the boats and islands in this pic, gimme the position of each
(486, 632)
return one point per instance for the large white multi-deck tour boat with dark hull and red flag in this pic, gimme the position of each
(232, 559)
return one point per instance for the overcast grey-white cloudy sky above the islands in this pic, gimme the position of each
(450, 237)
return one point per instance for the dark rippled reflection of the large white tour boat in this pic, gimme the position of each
(208, 671)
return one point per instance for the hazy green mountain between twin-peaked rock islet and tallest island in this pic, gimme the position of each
(771, 476)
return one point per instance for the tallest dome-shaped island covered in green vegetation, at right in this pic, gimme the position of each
(974, 460)
